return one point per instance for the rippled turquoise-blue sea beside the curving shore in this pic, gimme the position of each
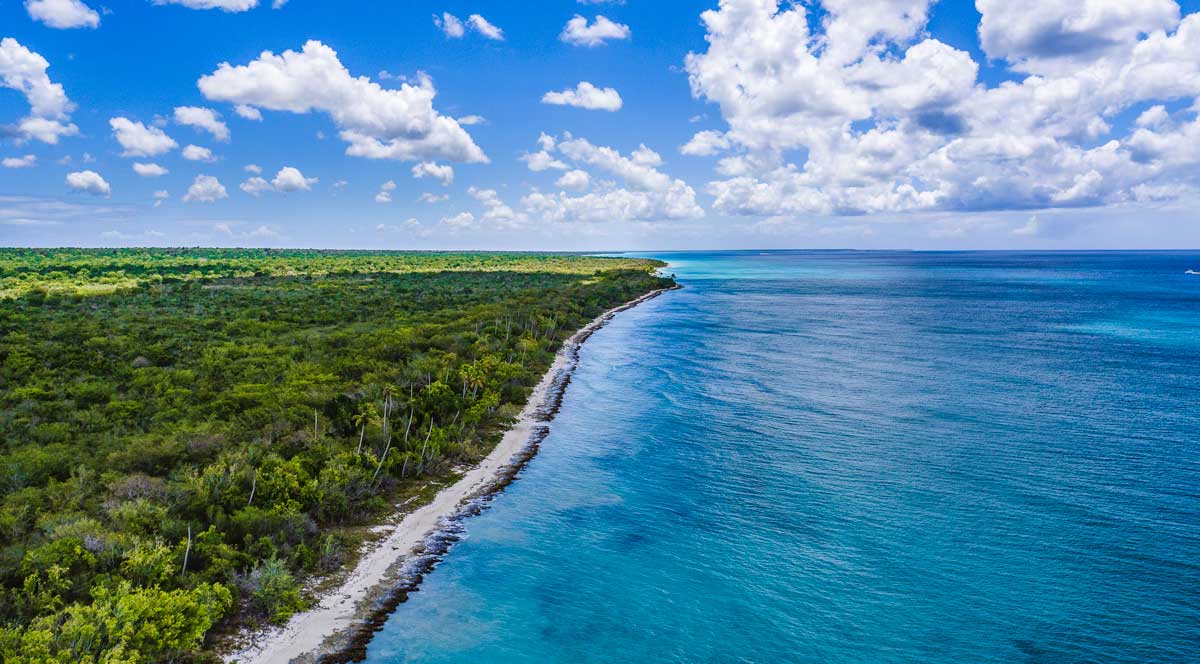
(843, 457)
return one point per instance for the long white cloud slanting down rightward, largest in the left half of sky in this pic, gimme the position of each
(377, 123)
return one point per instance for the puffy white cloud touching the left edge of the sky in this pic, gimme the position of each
(50, 110)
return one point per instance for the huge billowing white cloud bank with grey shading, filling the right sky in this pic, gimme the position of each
(885, 119)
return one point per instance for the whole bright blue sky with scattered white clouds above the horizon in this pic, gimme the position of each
(601, 125)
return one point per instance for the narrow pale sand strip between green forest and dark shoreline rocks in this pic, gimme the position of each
(345, 608)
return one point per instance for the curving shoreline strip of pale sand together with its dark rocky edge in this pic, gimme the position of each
(339, 627)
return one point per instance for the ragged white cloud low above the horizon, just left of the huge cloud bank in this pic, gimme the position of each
(647, 195)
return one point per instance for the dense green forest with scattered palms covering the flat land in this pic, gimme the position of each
(188, 436)
